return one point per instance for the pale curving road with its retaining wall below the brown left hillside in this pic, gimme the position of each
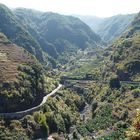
(21, 114)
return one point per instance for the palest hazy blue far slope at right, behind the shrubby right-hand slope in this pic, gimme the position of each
(112, 27)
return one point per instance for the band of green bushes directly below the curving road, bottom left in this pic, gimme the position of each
(57, 115)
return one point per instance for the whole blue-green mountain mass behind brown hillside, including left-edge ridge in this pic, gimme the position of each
(48, 36)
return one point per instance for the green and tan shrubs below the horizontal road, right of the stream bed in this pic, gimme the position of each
(111, 110)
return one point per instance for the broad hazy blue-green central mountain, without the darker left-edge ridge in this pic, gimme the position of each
(57, 34)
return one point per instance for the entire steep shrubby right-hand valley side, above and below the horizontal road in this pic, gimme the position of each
(113, 103)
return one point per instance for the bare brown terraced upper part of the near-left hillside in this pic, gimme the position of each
(11, 56)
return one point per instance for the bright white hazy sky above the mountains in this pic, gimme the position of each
(101, 8)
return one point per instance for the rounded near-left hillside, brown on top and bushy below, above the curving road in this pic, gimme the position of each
(21, 78)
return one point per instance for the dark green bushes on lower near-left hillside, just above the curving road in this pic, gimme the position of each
(24, 93)
